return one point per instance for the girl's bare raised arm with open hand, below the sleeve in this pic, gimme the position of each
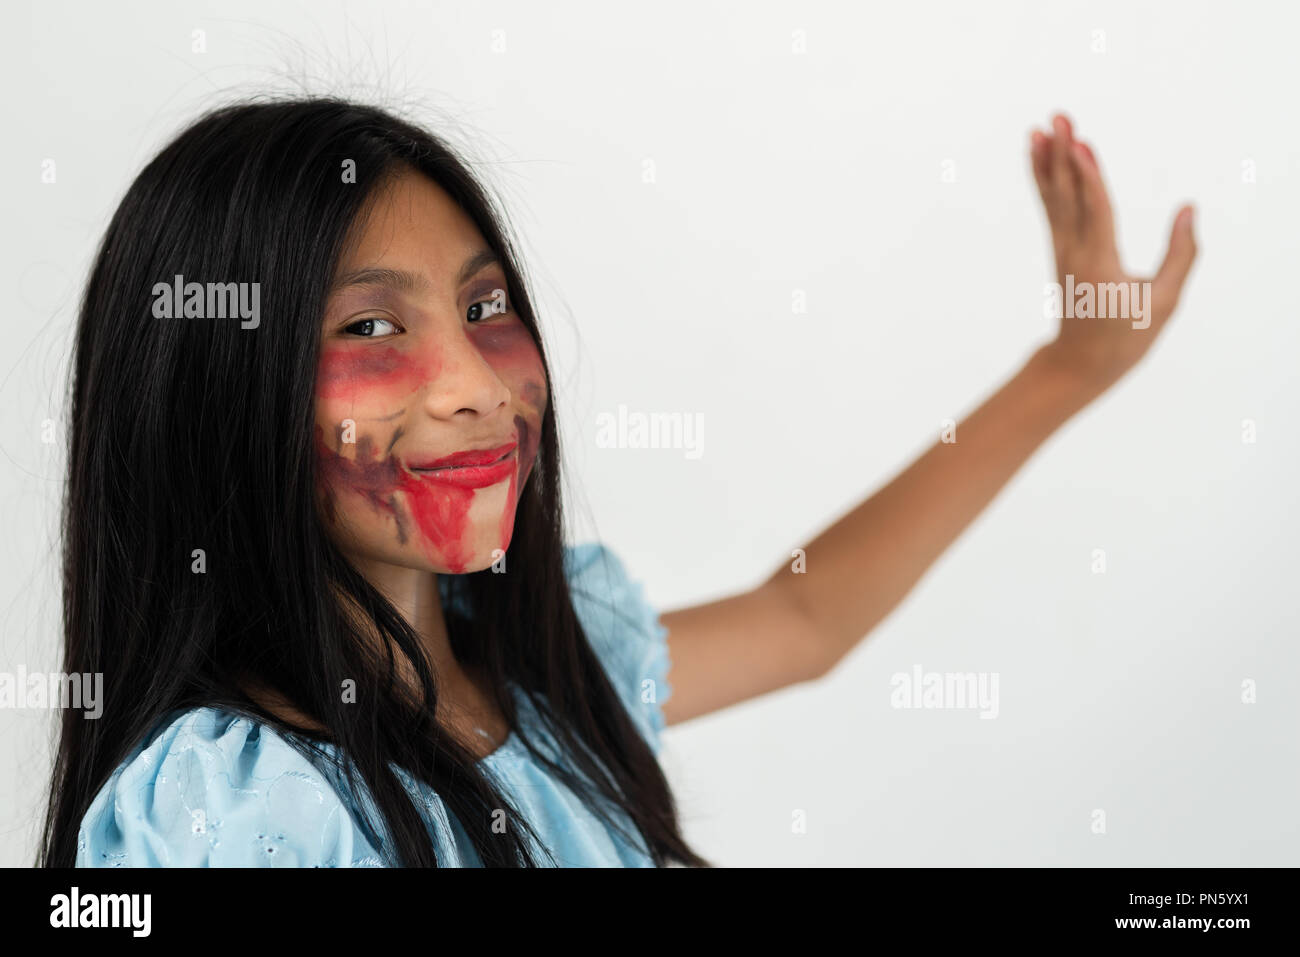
(805, 618)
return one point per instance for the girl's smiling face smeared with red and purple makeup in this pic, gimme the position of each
(430, 392)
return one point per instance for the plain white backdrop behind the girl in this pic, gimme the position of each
(681, 172)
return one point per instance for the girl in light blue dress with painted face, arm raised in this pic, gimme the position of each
(314, 534)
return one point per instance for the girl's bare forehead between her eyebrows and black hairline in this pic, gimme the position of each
(413, 224)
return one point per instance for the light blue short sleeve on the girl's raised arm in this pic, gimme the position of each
(625, 631)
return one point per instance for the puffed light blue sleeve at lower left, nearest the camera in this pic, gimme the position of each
(219, 790)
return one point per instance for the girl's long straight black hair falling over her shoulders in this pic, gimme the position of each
(198, 435)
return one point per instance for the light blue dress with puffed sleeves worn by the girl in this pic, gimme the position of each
(218, 790)
